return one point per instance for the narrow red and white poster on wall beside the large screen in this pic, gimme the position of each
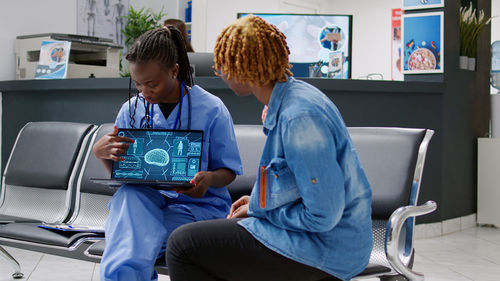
(396, 73)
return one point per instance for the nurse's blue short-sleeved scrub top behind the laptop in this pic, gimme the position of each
(220, 150)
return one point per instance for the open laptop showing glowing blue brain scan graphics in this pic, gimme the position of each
(161, 158)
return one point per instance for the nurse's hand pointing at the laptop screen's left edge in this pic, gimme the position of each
(111, 145)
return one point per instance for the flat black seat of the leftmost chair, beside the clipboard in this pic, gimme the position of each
(30, 232)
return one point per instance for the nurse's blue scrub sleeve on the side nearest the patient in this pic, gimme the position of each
(224, 151)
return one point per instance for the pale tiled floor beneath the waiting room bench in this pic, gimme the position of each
(471, 254)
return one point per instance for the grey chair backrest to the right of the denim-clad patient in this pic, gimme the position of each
(388, 156)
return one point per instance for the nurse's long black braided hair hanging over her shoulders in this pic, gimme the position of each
(166, 46)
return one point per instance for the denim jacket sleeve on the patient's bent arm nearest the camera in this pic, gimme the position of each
(311, 154)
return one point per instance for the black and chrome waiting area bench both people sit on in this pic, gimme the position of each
(51, 163)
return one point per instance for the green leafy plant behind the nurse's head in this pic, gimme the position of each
(138, 22)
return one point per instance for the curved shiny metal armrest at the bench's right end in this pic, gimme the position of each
(393, 231)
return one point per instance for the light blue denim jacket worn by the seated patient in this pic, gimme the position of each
(311, 201)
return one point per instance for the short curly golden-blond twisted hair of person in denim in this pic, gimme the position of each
(253, 51)
